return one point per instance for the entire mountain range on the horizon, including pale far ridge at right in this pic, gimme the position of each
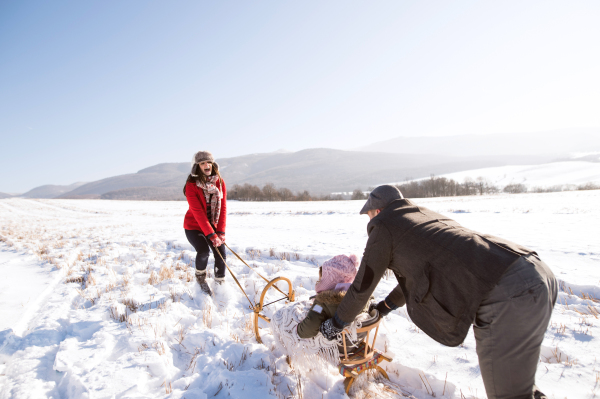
(323, 170)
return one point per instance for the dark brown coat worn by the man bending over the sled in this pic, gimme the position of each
(443, 269)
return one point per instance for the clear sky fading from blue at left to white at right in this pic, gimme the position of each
(91, 89)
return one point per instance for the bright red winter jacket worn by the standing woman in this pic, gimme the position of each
(195, 218)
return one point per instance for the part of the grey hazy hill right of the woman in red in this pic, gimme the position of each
(325, 170)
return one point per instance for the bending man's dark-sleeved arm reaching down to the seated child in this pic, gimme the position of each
(376, 259)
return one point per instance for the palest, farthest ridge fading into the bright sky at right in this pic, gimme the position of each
(555, 144)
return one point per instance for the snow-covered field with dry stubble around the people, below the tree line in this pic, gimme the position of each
(98, 300)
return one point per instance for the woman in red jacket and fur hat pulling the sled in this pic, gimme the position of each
(204, 222)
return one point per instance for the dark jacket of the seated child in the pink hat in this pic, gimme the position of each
(323, 308)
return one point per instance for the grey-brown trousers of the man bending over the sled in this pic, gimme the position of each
(510, 325)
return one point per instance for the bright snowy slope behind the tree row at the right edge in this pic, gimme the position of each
(544, 175)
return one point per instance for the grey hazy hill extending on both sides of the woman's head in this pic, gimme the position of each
(318, 170)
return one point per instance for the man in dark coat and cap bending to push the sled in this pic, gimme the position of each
(450, 277)
